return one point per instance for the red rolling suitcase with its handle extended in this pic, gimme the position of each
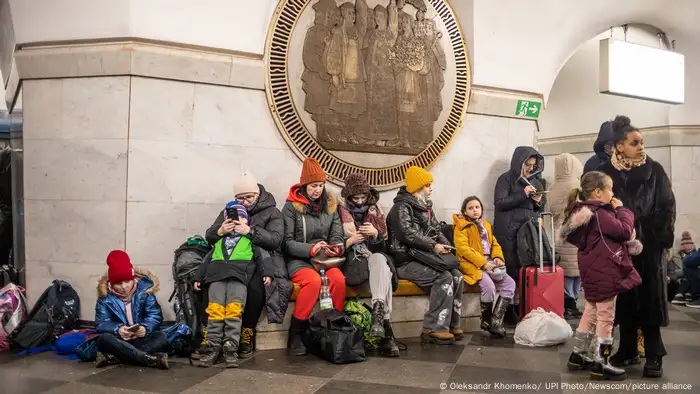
(542, 286)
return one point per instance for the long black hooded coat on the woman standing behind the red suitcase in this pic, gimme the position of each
(512, 207)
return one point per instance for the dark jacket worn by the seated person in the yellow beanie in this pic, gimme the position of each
(411, 224)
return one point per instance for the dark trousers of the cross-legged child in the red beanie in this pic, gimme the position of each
(133, 352)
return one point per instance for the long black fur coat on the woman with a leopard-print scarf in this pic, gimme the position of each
(646, 190)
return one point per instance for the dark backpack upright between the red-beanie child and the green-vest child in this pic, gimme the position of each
(188, 303)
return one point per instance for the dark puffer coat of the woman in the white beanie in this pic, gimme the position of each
(267, 233)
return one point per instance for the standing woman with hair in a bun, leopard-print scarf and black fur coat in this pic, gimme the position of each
(643, 186)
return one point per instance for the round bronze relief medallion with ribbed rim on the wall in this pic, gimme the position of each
(369, 86)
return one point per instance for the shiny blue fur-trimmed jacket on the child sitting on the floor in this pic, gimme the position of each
(110, 311)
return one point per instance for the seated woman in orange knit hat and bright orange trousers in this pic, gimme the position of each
(312, 228)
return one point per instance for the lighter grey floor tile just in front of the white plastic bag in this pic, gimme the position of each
(511, 358)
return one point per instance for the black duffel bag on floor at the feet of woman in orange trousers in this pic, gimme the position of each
(334, 337)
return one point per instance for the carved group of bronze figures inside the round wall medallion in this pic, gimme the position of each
(373, 77)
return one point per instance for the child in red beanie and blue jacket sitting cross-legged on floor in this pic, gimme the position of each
(128, 316)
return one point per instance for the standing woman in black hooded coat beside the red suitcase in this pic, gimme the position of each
(516, 202)
